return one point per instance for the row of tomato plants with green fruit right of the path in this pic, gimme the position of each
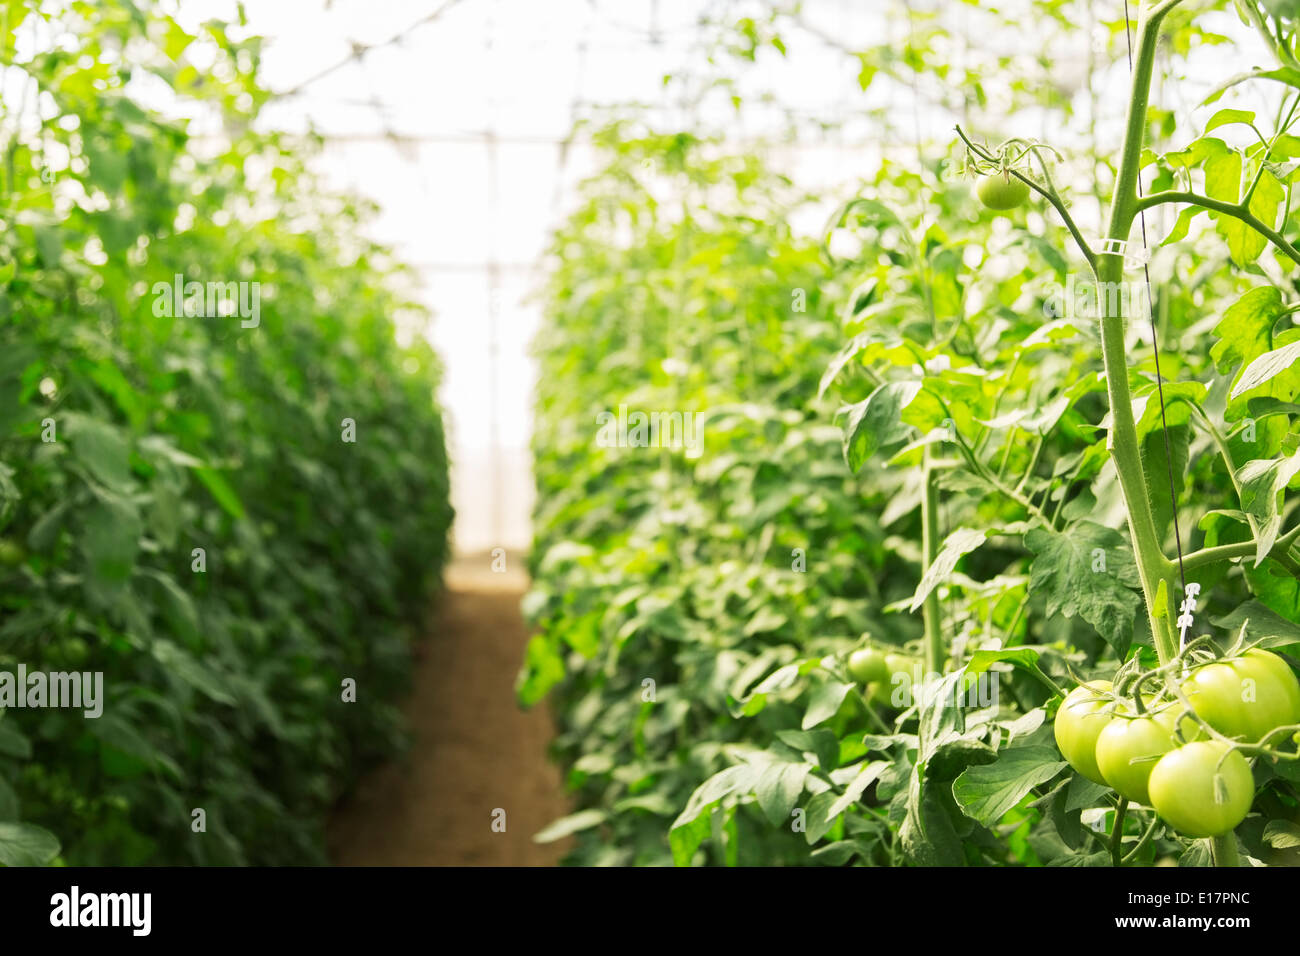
(1034, 491)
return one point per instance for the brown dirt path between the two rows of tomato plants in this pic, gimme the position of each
(474, 751)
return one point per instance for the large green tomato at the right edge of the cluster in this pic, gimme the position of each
(1246, 698)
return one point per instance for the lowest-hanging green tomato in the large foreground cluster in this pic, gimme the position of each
(1202, 790)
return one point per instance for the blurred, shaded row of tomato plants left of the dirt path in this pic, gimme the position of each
(184, 505)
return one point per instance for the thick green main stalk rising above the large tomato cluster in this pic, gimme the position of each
(1154, 566)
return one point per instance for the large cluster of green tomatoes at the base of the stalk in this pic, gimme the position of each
(1180, 751)
